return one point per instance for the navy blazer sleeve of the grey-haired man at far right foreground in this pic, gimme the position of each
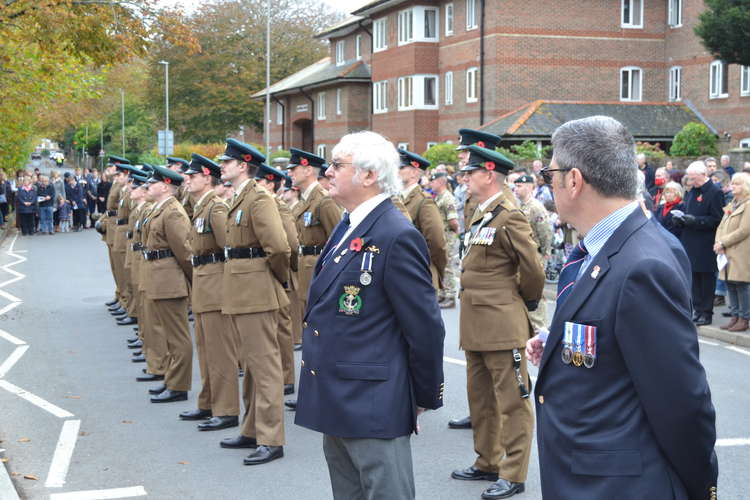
(661, 354)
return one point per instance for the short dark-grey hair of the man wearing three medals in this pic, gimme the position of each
(603, 150)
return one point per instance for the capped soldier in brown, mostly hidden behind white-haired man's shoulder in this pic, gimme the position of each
(424, 212)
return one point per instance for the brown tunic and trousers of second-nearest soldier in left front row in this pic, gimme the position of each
(215, 342)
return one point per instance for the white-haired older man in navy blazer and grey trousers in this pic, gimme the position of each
(373, 334)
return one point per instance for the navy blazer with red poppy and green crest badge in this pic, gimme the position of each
(372, 353)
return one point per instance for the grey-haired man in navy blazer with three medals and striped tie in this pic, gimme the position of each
(623, 406)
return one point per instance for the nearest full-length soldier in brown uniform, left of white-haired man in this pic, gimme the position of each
(255, 275)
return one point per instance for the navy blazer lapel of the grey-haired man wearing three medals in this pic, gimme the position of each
(589, 279)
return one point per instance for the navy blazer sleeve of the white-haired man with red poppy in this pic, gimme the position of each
(412, 297)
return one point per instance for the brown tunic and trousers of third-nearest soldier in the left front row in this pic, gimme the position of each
(167, 282)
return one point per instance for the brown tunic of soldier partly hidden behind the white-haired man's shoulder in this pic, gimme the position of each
(427, 219)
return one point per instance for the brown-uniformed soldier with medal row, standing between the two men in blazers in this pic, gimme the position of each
(502, 277)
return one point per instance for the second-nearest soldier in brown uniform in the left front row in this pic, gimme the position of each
(215, 342)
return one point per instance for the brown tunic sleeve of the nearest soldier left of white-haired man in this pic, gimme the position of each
(270, 233)
